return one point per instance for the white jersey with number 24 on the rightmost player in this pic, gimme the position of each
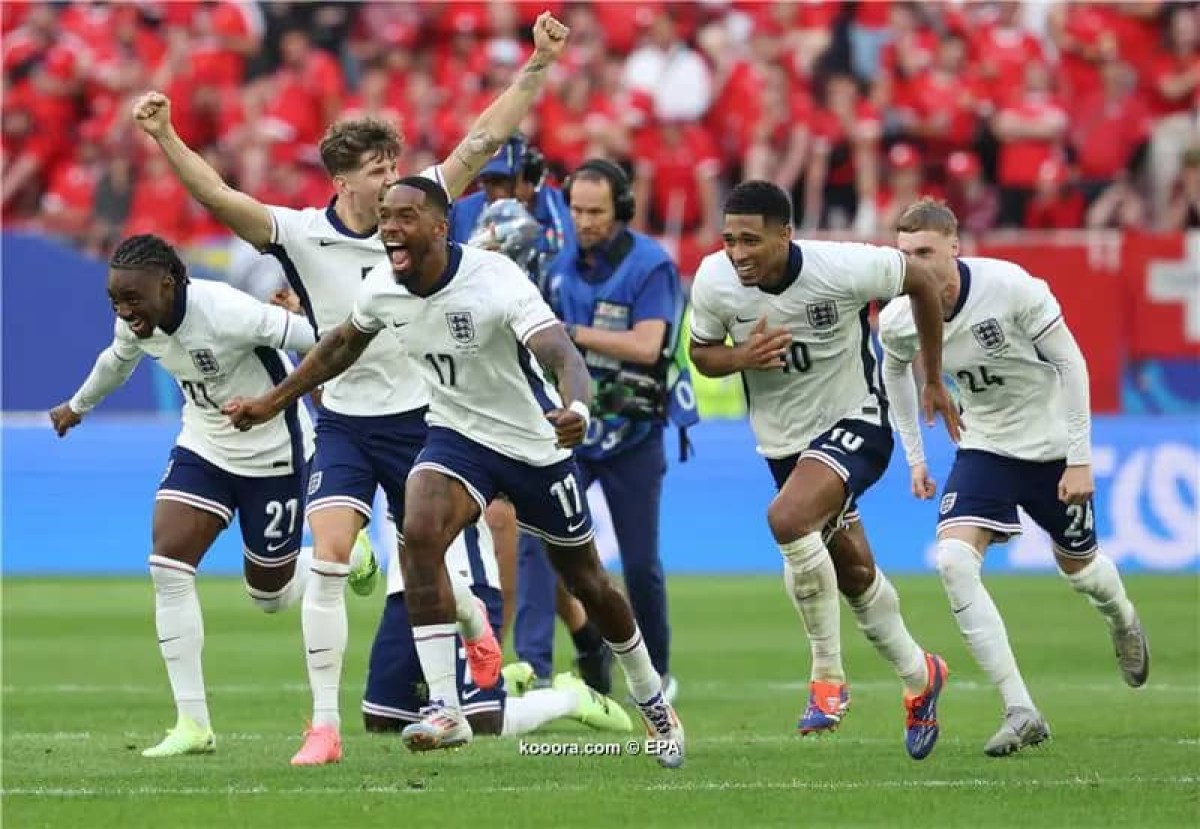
(1012, 401)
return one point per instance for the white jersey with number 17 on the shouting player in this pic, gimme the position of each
(469, 339)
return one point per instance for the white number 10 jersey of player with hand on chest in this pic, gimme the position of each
(831, 371)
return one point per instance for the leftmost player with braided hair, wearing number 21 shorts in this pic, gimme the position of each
(218, 344)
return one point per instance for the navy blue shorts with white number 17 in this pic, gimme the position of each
(550, 501)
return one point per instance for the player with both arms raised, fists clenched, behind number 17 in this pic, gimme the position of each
(373, 424)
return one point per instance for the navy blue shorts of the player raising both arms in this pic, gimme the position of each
(356, 454)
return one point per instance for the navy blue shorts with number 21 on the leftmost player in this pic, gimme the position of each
(271, 510)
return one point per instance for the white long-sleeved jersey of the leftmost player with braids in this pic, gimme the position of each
(229, 346)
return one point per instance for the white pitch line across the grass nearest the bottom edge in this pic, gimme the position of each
(680, 786)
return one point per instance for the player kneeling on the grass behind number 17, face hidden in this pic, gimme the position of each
(395, 690)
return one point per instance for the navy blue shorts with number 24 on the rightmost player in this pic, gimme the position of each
(985, 490)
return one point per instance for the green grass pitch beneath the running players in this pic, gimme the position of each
(85, 692)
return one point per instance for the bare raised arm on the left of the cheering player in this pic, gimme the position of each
(242, 214)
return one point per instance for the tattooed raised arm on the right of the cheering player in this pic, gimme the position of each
(502, 118)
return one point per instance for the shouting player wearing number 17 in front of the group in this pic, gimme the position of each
(484, 338)
